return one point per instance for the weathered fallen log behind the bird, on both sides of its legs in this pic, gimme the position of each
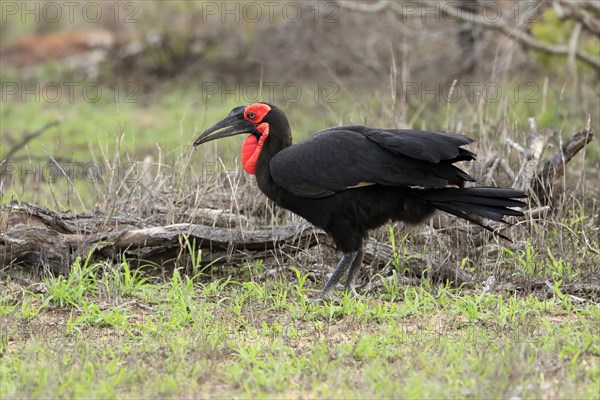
(41, 240)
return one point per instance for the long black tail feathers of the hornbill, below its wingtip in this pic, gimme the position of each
(488, 202)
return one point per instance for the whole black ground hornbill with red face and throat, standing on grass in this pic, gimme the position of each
(347, 180)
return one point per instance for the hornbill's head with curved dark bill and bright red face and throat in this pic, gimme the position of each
(254, 120)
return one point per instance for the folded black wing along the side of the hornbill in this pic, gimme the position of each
(348, 157)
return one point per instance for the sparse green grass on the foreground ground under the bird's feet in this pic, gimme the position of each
(228, 338)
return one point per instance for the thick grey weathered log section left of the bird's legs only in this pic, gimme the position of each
(40, 239)
